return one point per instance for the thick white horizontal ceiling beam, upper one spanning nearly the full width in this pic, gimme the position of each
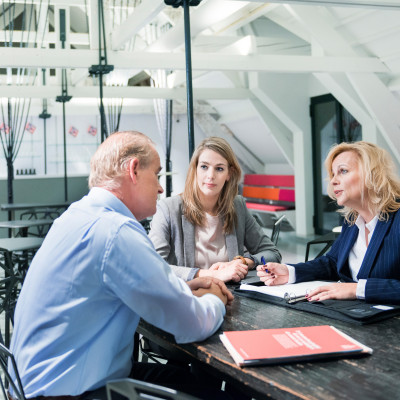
(58, 58)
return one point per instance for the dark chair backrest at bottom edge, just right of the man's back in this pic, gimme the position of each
(133, 389)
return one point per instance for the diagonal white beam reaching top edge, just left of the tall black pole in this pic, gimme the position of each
(143, 14)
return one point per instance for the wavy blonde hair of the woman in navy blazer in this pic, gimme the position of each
(381, 187)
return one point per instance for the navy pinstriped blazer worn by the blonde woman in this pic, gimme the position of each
(380, 267)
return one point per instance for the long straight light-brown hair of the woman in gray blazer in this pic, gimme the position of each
(192, 207)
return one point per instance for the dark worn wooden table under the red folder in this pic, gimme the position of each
(366, 377)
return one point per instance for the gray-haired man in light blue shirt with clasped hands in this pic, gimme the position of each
(96, 275)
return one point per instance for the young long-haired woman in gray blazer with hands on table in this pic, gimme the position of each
(207, 230)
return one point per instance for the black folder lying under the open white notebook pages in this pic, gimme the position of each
(352, 311)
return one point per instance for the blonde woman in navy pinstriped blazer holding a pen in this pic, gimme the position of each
(366, 255)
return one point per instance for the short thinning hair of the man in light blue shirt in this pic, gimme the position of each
(110, 161)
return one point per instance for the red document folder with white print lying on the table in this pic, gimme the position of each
(274, 346)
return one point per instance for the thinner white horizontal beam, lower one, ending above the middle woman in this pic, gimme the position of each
(126, 92)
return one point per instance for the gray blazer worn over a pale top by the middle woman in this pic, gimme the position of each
(174, 239)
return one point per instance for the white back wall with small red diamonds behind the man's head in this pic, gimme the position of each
(81, 148)
